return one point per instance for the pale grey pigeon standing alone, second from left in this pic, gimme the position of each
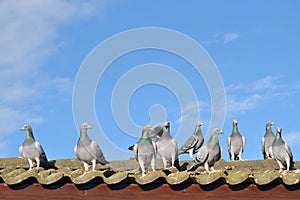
(87, 150)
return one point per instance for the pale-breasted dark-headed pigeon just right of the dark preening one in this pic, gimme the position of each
(167, 147)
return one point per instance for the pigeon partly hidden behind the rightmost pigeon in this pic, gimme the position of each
(267, 140)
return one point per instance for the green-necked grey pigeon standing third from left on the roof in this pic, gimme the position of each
(145, 151)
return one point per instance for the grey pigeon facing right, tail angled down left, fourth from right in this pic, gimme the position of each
(210, 153)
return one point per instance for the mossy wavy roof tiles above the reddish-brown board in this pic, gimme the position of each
(14, 171)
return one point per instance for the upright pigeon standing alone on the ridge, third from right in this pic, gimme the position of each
(236, 143)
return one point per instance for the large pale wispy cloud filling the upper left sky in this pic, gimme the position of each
(29, 35)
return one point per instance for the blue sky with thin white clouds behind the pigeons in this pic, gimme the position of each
(43, 46)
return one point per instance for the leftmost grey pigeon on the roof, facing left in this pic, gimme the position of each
(31, 149)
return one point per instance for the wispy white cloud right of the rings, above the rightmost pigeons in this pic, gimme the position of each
(245, 96)
